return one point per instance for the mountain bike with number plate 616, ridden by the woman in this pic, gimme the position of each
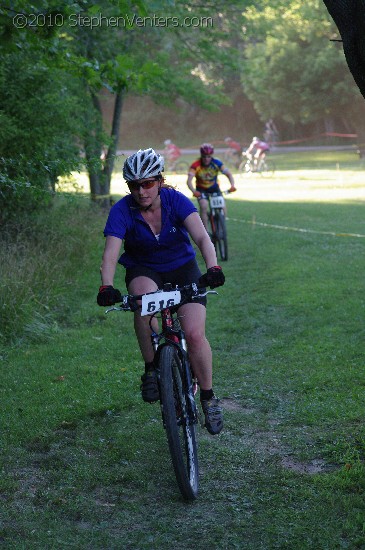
(176, 380)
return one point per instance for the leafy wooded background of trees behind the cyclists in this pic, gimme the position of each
(79, 80)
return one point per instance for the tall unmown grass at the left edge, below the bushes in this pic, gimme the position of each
(41, 256)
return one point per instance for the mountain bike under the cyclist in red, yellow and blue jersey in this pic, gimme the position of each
(217, 222)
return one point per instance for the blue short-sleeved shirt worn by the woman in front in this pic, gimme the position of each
(171, 250)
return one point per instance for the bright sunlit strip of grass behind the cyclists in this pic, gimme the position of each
(325, 176)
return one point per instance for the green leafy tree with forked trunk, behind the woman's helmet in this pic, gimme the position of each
(162, 57)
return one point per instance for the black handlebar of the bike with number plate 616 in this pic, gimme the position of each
(191, 291)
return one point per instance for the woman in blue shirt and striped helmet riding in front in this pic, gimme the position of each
(155, 222)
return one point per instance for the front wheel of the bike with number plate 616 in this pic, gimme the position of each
(178, 422)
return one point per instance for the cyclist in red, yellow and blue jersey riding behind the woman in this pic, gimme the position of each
(205, 171)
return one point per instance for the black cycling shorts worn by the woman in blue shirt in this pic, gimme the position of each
(184, 275)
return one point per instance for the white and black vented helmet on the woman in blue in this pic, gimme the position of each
(143, 164)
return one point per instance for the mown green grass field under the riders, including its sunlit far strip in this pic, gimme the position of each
(84, 461)
